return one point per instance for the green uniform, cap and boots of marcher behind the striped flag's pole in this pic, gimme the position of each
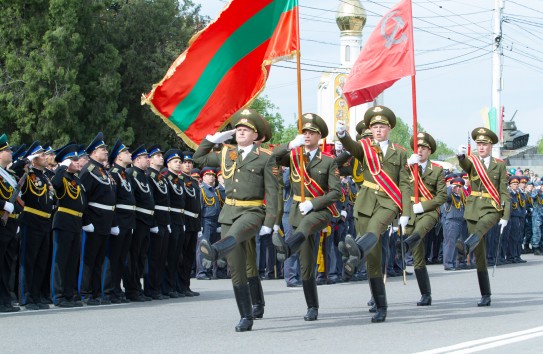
(322, 169)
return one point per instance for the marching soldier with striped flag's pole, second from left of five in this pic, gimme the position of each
(308, 217)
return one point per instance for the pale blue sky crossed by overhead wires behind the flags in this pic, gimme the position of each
(453, 57)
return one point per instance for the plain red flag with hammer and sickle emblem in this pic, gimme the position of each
(387, 56)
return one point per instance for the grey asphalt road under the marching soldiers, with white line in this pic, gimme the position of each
(205, 324)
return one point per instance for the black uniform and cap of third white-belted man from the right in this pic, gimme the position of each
(158, 243)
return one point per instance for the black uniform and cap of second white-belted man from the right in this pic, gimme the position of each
(177, 235)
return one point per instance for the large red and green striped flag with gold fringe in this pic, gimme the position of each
(225, 66)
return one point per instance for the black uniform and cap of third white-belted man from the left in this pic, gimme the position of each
(145, 209)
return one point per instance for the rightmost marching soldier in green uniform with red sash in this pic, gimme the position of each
(487, 204)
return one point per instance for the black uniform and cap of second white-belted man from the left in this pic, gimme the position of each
(125, 220)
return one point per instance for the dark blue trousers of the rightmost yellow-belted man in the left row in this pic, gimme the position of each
(66, 249)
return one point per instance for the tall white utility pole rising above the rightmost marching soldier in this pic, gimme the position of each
(497, 80)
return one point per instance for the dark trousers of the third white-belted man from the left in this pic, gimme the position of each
(137, 256)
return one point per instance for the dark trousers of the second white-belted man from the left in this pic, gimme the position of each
(116, 259)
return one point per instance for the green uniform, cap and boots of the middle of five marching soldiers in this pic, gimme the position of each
(374, 210)
